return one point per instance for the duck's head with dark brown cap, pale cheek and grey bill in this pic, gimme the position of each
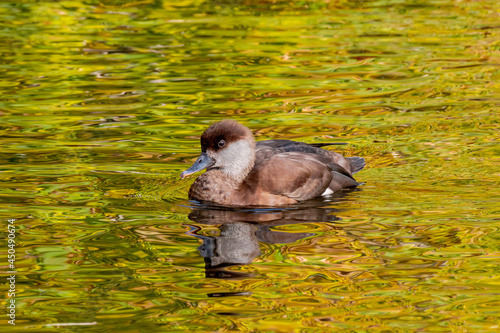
(227, 146)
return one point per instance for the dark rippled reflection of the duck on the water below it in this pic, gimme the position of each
(241, 230)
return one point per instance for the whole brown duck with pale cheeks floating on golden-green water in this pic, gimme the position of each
(243, 172)
